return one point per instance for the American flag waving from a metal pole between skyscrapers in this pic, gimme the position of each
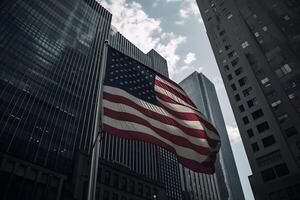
(141, 104)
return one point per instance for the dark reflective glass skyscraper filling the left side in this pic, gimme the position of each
(50, 57)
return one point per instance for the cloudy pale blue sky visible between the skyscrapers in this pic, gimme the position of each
(175, 29)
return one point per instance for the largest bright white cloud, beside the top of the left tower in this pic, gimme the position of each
(144, 31)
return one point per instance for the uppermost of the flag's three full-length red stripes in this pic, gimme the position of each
(167, 120)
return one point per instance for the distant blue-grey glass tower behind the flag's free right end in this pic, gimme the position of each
(203, 186)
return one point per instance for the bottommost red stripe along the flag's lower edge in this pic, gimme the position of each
(191, 164)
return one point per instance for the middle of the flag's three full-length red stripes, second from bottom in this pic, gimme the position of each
(178, 140)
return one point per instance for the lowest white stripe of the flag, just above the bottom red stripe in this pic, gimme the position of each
(131, 126)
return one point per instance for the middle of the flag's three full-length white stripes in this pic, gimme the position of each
(172, 130)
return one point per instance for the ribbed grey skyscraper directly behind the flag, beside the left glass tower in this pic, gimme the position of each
(147, 159)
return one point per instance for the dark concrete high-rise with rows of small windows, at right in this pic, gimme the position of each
(256, 45)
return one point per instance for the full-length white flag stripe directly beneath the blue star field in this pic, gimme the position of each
(149, 106)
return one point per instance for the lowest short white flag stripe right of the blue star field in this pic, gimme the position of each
(177, 107)
